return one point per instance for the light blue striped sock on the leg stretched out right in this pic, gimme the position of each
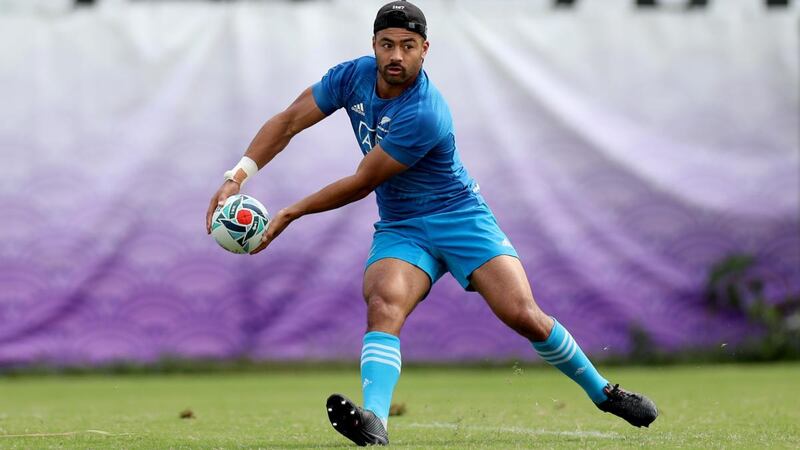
(561, 350)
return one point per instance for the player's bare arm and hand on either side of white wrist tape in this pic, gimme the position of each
(273, 137)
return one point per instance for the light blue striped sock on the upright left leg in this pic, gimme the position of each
(380, 370)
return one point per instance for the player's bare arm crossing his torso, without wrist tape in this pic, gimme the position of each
(373, 170)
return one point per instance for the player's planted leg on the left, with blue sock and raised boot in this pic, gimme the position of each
(392, 288)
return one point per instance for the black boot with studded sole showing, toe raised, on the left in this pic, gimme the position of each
(357, 424)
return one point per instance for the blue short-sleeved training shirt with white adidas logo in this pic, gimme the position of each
(415, 128)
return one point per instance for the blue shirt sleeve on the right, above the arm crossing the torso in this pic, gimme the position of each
(412, 135)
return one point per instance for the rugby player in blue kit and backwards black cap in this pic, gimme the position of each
(433, 219)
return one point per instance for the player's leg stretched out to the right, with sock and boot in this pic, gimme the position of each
(503, 284)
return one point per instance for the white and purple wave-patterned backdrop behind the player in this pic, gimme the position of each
(622, 154)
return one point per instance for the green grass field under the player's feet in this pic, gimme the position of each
(701, 407)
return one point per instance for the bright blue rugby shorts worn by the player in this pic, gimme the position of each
(457, 242)
